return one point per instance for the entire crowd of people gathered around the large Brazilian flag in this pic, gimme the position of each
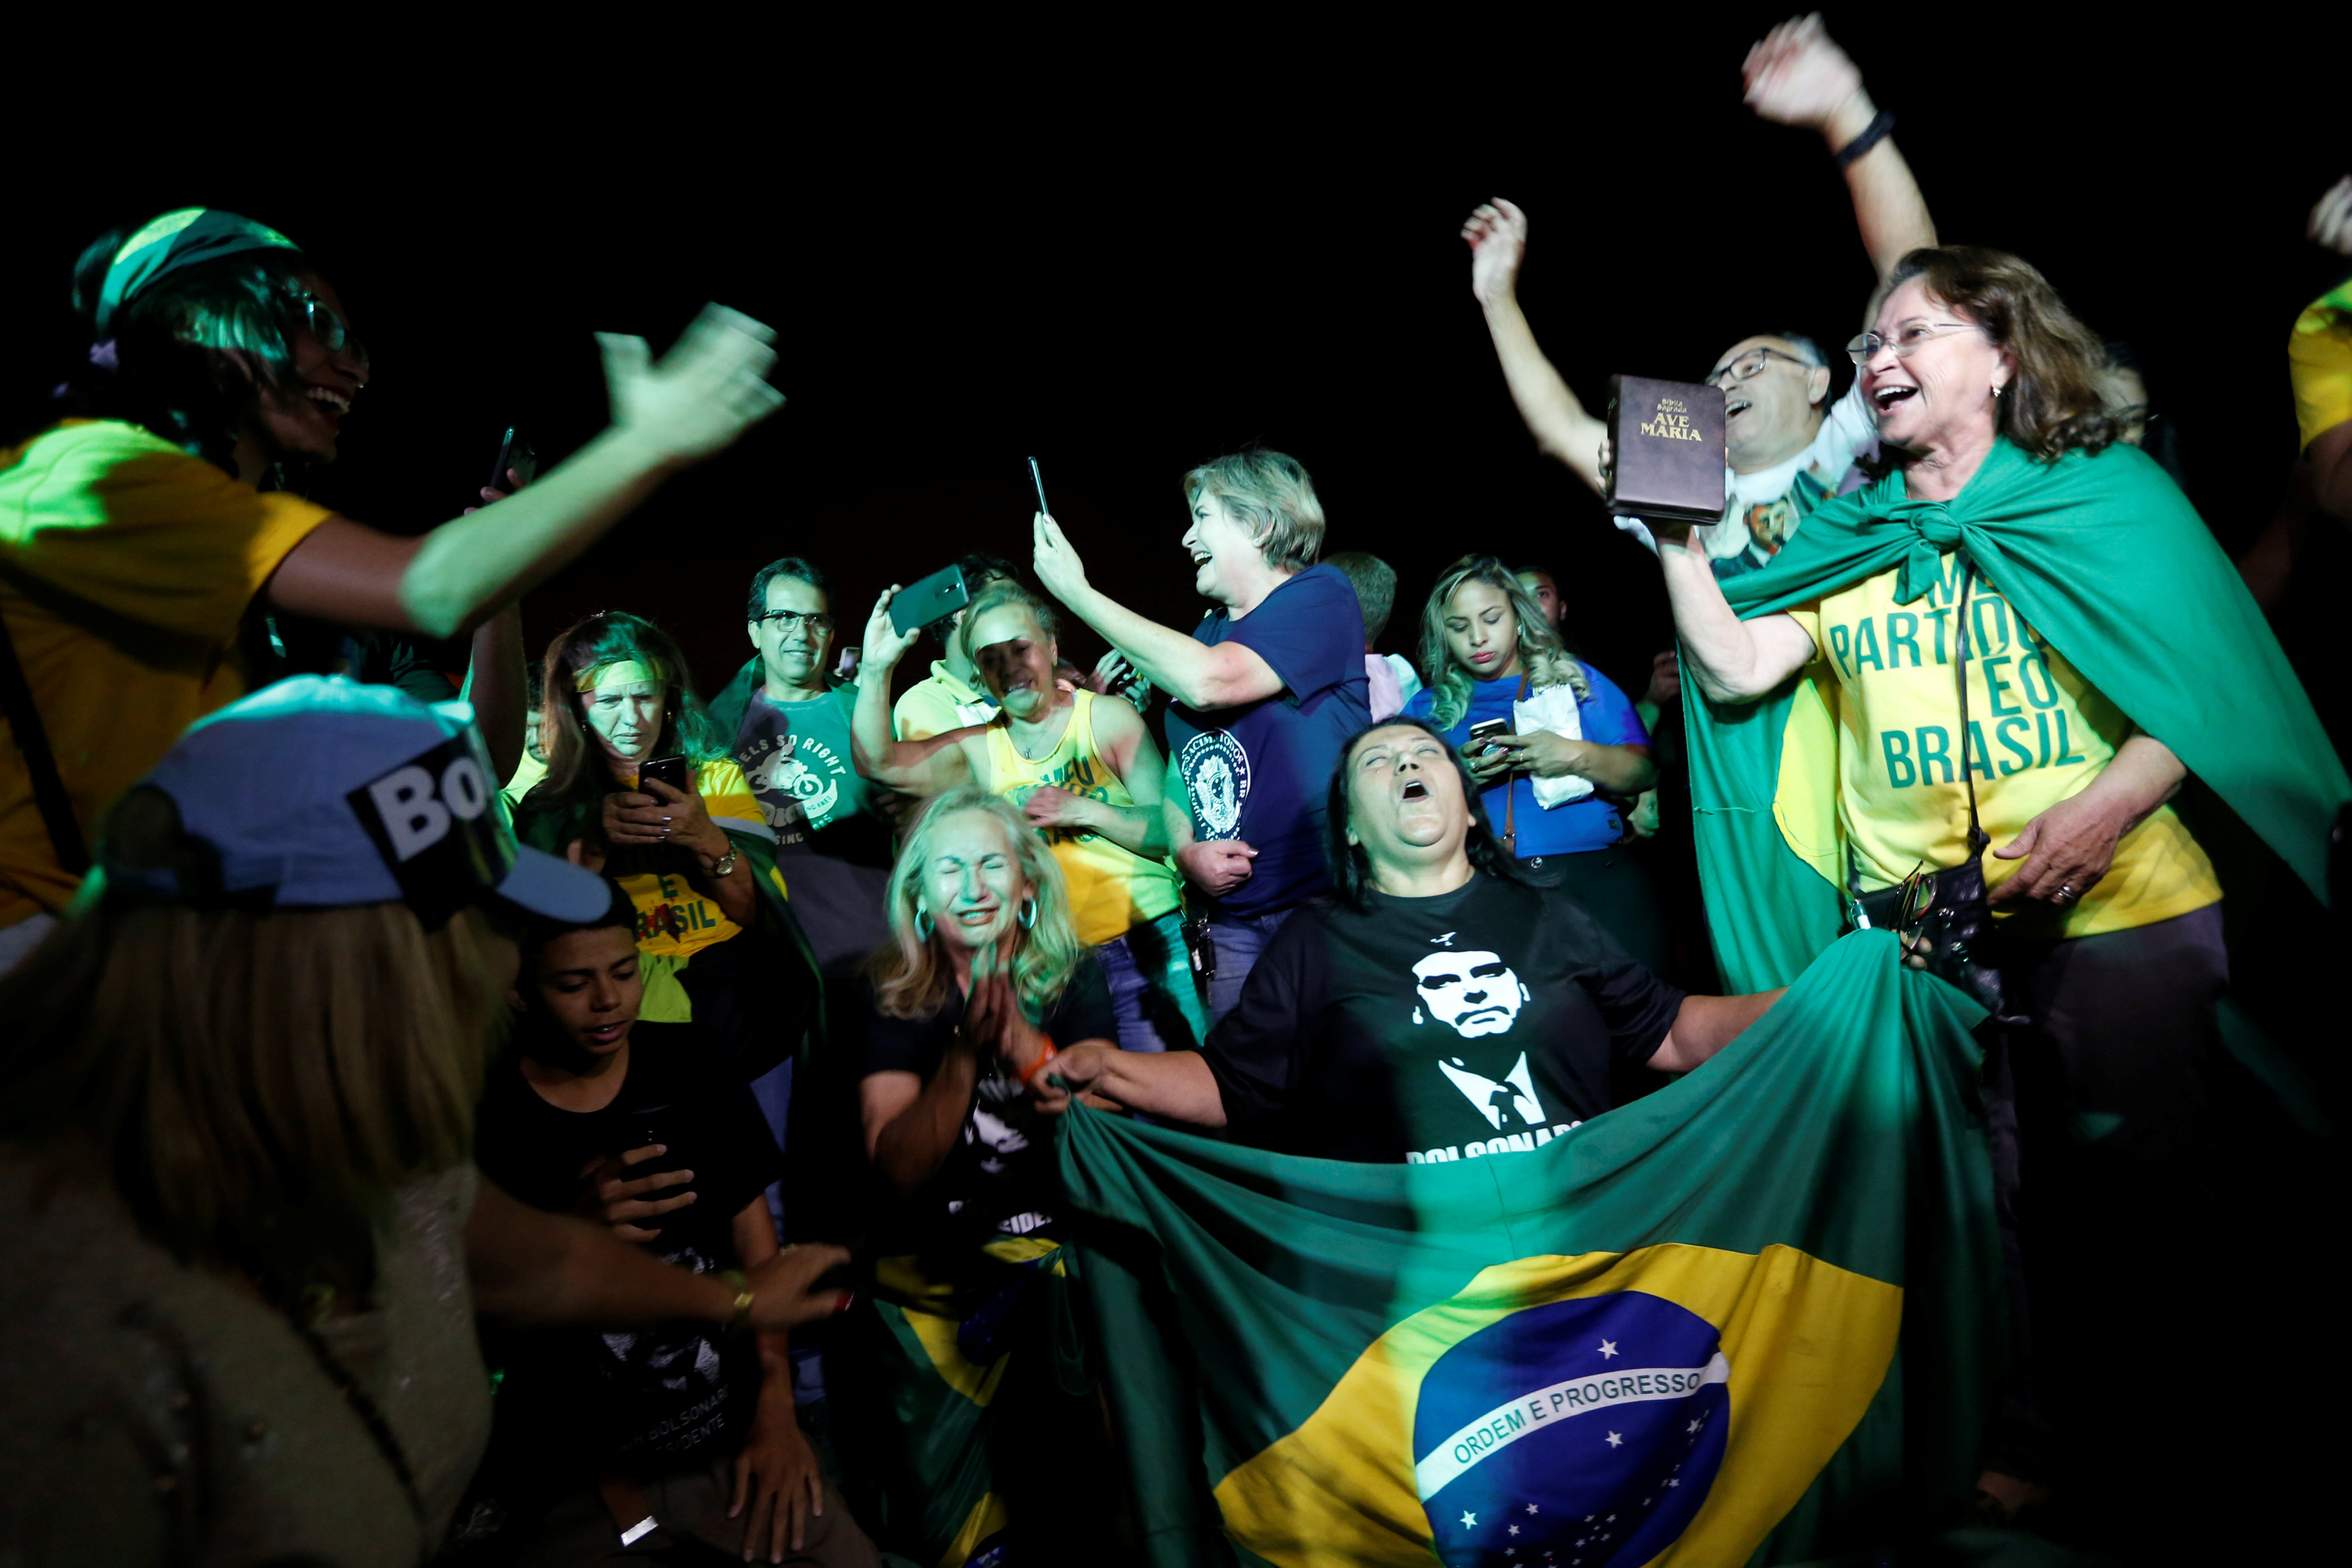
(657, 1153)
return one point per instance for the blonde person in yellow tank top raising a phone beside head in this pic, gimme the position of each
(1088, 779)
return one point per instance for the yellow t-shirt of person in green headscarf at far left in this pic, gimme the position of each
(126, 572)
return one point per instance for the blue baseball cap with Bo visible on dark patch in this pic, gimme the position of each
(333, 793)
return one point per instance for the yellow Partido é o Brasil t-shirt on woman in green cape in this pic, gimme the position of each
(2038, 735)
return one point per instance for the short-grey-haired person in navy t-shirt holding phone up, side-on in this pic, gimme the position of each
(1264, 692)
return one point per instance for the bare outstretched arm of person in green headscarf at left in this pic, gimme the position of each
(667, 417)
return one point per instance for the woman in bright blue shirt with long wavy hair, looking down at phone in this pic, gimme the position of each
(1570, 753)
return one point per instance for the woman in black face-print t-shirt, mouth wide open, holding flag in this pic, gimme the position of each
(1436, 1010)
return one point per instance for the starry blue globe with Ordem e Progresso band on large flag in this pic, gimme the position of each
(1577, 1435)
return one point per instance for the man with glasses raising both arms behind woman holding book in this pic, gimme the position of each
(1786, 445)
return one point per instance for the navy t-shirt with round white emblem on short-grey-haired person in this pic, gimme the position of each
(1262, 772)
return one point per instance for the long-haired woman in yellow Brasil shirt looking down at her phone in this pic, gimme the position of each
(641, 786)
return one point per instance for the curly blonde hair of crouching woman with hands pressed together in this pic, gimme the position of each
(911, 977)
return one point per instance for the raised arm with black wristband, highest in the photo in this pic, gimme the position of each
(1798, 76)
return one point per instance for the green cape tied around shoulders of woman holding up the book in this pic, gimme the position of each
(2111, 563)
